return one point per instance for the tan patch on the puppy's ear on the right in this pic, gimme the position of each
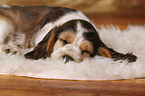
(104, 52)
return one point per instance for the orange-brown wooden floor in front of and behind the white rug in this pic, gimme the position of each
(22, 86)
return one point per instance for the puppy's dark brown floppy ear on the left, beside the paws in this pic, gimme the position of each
(43, 49)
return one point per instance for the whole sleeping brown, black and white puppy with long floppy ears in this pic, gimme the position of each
(54, 32)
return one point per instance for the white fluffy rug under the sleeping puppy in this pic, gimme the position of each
(131, 39)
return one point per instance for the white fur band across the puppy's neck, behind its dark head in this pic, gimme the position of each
(67, 17)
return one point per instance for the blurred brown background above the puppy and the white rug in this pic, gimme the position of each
(100, 11)
